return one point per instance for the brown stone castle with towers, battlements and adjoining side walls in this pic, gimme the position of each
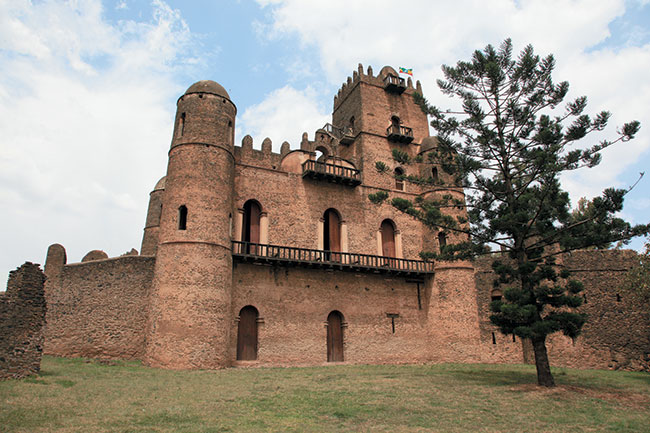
(251, 257)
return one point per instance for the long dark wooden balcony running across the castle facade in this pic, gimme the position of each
(319, 259)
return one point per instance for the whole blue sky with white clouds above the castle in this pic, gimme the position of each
(88, 91)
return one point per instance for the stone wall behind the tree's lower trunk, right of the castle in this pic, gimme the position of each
(615, 335)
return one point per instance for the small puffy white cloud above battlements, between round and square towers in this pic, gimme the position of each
(283, 115)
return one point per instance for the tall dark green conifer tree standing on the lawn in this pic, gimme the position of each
(508, 148)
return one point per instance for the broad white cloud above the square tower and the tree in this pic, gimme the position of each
(423, 35)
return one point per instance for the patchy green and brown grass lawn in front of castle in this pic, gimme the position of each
(77, 395)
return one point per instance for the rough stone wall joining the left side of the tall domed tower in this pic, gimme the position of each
(98, 309)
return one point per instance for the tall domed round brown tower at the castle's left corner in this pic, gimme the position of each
(189, 321)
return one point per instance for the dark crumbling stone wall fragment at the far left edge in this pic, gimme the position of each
(22, 316)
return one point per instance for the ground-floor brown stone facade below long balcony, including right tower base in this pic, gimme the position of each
(294, 304)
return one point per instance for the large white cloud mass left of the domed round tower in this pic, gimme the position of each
(85, 110)
